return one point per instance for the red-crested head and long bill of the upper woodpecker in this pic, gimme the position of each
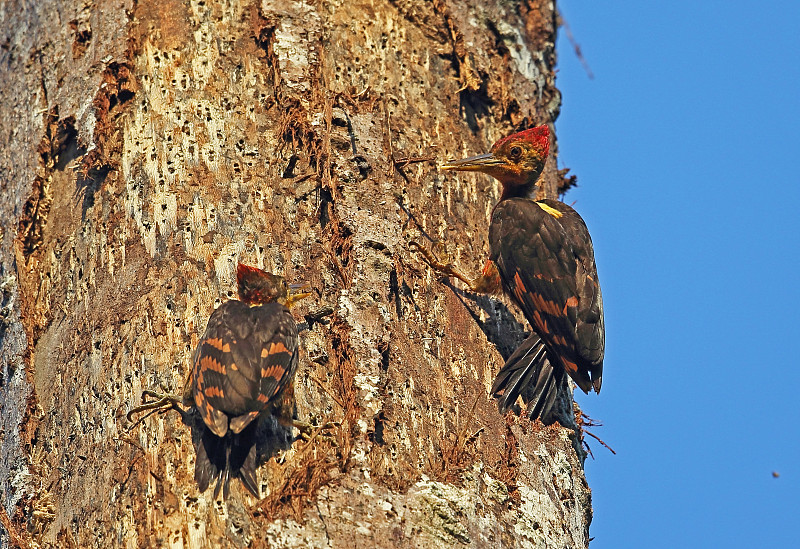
(515, 161)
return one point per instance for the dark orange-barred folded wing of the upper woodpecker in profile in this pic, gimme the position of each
(546, 261)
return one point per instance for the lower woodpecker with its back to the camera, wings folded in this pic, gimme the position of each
(243, 368)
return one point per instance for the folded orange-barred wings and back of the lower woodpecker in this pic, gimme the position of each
(246, 357)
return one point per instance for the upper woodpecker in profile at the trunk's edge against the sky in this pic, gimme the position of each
(542, 253)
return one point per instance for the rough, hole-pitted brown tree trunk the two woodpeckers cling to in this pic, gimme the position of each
(147, 146)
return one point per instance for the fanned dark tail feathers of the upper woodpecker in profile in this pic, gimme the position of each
(528, 373)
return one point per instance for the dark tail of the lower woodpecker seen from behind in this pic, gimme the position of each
(221, 459)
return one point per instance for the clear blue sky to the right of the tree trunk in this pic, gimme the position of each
(686, 145)
